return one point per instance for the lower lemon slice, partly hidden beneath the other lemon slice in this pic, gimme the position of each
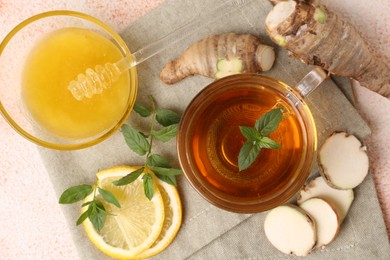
(172, 221)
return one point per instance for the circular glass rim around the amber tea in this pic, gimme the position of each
(231, 203)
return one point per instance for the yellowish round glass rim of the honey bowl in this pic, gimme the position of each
(122, 45)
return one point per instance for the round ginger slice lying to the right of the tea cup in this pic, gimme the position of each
(343, 161)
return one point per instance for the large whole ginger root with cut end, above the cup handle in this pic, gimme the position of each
(317, 36)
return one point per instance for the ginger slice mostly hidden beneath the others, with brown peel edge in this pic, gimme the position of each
(341, 199)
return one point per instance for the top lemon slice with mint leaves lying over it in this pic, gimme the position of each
(135, 226)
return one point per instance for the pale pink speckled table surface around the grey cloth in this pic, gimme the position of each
(31, 222)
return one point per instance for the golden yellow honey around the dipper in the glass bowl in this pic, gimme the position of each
(56, 60)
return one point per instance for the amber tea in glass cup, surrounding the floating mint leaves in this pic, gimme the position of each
(210, 140)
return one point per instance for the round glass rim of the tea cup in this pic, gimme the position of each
(238, 206)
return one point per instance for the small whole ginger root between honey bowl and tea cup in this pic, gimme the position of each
(217, 56)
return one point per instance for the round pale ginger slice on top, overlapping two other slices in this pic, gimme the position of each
(291, 230)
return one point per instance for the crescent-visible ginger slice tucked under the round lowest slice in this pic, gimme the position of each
(326, 219)
